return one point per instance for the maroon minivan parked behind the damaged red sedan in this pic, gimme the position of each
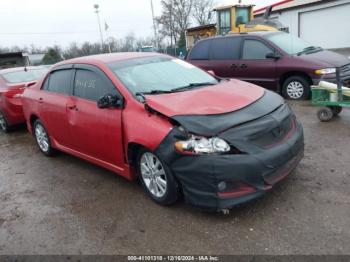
(274, 60)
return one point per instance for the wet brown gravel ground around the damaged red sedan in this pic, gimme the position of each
(64, 205)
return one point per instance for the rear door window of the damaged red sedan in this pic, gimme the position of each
(59, 81)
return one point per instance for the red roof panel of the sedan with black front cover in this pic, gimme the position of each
(109, 58)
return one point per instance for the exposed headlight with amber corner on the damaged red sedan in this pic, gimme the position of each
(202, 145)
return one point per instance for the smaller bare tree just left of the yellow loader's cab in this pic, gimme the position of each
(202, 10)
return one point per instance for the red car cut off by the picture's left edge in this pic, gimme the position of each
(12, 84)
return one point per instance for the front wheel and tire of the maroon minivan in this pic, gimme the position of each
(296, 88)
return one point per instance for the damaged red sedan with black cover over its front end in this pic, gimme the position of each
(173, 125)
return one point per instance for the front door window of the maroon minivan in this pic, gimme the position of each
(255, 50)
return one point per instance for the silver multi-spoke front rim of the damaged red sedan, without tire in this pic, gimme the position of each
(153, 174)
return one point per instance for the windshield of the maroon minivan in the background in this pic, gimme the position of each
(291, 44)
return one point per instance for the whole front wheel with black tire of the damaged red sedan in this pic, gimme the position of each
(156, 178)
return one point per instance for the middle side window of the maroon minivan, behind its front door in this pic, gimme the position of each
(225, 48)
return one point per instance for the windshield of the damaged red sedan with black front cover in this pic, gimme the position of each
(159, 74)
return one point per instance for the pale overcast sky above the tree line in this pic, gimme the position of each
(48, 22)
